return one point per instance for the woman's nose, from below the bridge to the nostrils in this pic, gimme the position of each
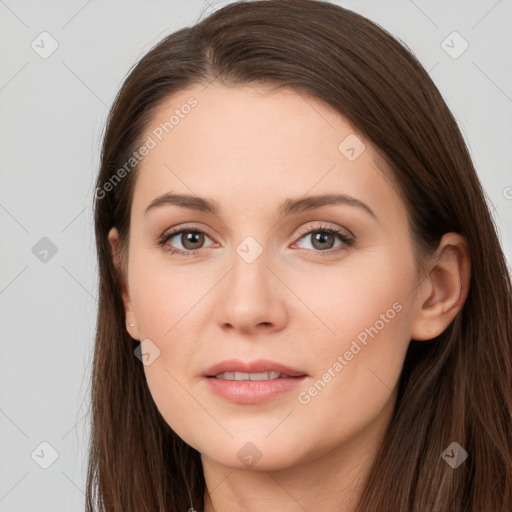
(251, 297)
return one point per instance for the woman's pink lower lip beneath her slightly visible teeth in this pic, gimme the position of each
(252, 391)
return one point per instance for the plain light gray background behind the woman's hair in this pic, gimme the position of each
(52, 113)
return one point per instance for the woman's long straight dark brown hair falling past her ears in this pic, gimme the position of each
(455, 388)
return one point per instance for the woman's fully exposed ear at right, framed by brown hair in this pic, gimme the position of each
(445, 289)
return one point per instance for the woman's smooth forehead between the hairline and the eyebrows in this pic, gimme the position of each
(256, 144)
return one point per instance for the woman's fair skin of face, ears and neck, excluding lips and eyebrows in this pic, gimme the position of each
(299, 302)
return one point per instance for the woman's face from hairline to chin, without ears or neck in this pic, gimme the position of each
(267, 278)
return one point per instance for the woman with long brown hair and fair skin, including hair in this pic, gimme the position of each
(240, 365)
